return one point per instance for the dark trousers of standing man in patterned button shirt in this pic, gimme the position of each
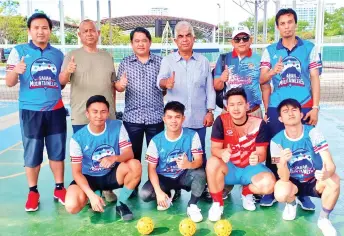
(136, 132)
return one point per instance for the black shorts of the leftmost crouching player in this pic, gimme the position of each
(105, 182)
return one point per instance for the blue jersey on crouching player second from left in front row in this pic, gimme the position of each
(165, 152)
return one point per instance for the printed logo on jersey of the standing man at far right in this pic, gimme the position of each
(291, 74)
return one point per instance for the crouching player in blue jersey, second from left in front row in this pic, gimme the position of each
(174, 159)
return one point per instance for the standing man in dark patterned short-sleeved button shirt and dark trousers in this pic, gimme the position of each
(144, 104)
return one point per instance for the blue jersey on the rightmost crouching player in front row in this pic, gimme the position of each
(305, 150)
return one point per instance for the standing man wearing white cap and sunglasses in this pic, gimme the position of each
(240, 68)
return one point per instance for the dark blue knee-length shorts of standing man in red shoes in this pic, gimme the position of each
(39, 127)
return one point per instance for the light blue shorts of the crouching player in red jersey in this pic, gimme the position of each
(243, 176)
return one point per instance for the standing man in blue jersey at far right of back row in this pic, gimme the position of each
(292, 67)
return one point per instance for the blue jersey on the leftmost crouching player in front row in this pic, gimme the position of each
(89, 149)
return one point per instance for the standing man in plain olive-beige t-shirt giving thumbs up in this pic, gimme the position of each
(90, 71)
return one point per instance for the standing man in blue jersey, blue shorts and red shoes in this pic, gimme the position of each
(41, 111)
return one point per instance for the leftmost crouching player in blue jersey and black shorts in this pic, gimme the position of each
(102, 159)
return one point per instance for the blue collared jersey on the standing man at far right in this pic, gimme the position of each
(294, 80)
